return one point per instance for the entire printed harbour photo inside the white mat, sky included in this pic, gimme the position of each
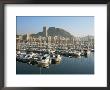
(55, 49)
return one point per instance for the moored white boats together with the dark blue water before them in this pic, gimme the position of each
(45, 62)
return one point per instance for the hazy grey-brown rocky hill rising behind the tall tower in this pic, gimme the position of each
(52, 31)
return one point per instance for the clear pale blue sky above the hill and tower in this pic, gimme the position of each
(76, 25)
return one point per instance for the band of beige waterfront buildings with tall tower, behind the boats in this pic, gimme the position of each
(53, 41)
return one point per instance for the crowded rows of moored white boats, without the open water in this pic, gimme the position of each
(48, 56)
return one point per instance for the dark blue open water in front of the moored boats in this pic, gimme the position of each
(68, 65)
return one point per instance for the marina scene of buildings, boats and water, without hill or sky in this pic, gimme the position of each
(55, 52)
